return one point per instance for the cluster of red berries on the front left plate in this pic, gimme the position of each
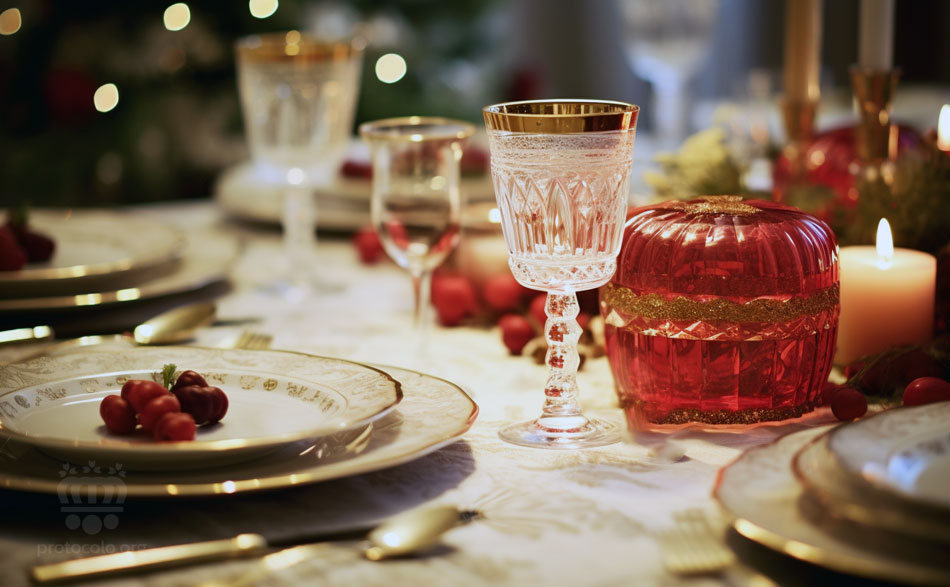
(166, 412)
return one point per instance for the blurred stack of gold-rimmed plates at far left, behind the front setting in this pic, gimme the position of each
(105, 257)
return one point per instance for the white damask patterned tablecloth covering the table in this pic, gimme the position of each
(550, 517)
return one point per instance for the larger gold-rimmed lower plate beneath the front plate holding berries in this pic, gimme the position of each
(433, 413)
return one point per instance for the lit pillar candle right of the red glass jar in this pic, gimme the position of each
(887, 298)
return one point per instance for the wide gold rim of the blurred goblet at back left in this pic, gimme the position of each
(297, 47)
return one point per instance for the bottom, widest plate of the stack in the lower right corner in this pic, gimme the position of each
(766, 503)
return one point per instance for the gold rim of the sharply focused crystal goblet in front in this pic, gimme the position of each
(561, 116)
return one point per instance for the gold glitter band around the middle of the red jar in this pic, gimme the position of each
(656, 307)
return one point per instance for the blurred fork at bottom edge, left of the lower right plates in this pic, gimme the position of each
(692, 546)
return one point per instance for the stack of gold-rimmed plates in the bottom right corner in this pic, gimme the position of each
(870, 498)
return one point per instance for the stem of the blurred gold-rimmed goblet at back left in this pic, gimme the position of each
(299, 224)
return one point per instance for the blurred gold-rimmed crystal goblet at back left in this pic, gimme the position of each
(298, 94)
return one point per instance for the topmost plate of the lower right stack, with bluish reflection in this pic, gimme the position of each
(903, 451)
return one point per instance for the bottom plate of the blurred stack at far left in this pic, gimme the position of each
(205, 259)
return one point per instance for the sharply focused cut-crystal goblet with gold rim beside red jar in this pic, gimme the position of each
(561, 170)
